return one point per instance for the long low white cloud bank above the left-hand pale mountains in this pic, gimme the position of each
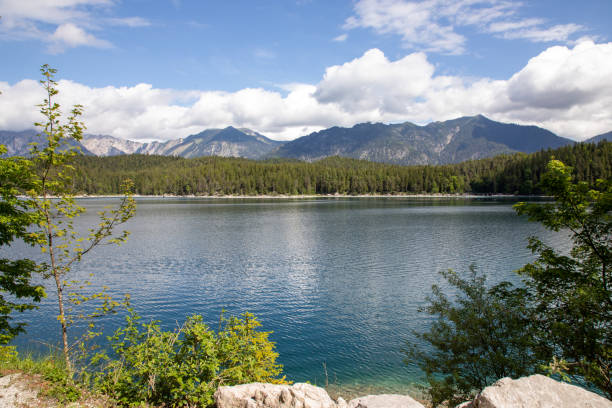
(144, 112)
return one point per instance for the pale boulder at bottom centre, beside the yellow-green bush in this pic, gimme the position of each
(259, 395)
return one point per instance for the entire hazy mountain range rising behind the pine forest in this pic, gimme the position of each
(445, 142)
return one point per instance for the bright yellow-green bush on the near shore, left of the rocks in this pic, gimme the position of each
(184, 367)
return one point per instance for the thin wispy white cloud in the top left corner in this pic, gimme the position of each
(72, 22)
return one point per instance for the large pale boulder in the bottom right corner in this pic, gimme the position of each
(536, 391)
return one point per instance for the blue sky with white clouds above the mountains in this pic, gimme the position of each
(164, 69)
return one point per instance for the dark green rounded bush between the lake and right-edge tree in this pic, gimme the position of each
(484, 334)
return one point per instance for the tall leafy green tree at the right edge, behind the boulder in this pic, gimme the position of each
(573, 292)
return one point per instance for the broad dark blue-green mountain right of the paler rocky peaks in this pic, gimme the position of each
(451, 141)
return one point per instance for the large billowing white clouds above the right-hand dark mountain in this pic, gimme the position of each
(566, 90)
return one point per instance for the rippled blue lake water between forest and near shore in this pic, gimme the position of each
(337, 280)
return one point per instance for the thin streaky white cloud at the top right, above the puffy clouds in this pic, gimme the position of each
(432, 25)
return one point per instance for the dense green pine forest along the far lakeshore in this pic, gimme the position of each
(506, 174)
